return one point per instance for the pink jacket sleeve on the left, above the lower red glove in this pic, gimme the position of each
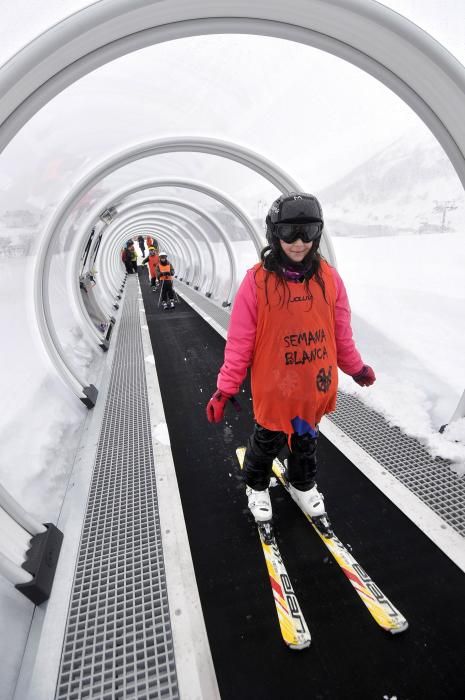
(241, 337)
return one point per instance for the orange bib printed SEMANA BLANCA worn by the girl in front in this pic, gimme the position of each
(294, 365)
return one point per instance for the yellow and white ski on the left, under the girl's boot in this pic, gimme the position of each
(294, 630)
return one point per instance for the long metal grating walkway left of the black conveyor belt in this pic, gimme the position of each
(118, 640)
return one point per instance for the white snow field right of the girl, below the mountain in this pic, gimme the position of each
(408, 314)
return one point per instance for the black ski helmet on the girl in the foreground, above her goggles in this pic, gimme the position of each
(295, 207)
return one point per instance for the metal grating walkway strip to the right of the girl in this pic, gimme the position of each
(429, 478)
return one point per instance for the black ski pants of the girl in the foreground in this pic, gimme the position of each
(264, 445)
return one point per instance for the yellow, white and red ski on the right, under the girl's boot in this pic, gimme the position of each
(380, 607)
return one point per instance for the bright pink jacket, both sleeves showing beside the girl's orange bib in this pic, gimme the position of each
(242, 328)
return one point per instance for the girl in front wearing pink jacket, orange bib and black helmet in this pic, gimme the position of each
(290, 324)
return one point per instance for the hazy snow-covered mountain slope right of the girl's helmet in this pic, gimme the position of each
(409, 187)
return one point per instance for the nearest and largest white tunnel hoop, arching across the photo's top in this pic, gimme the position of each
(363, 32)
